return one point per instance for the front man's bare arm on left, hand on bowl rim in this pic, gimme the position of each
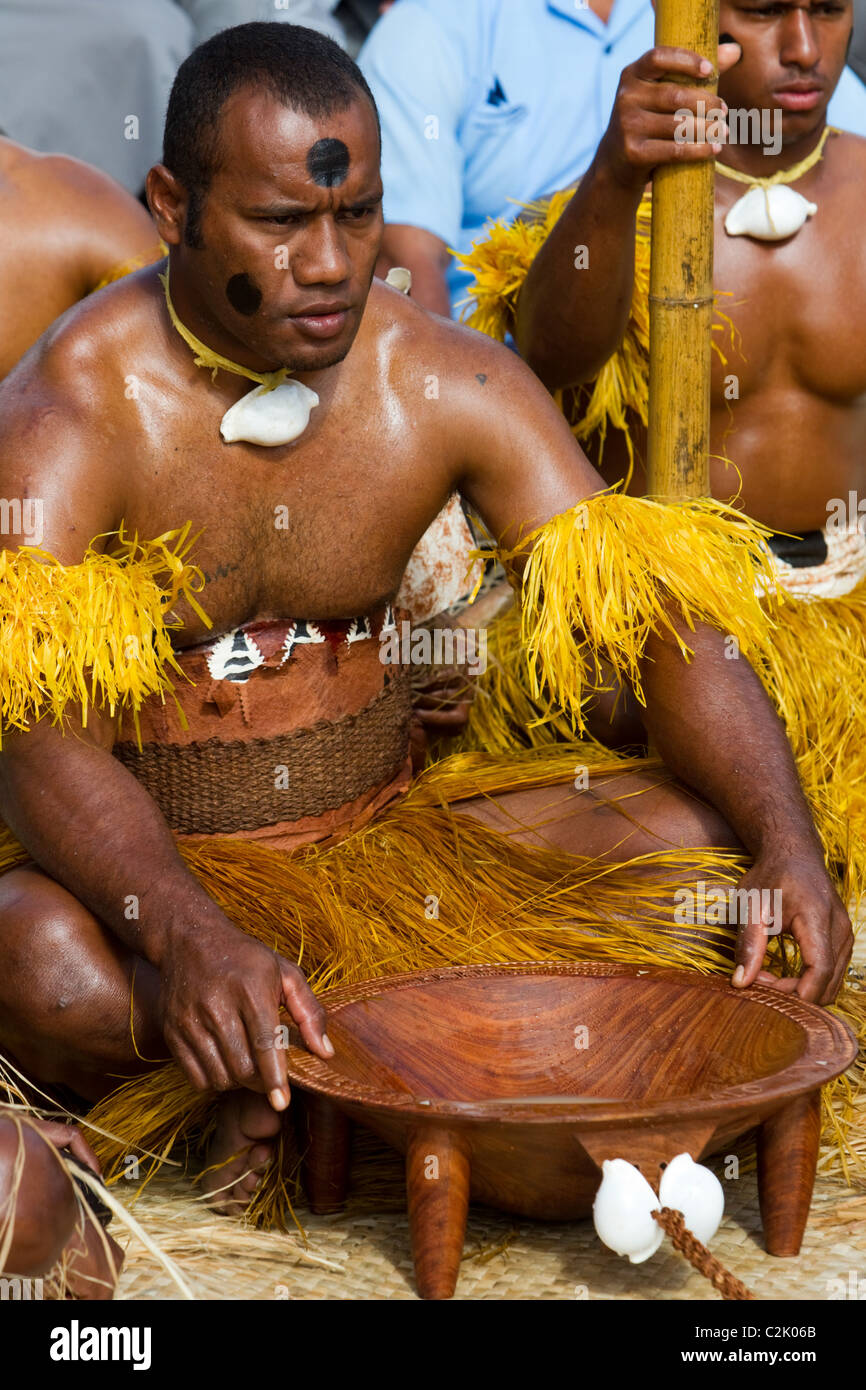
(83, 815)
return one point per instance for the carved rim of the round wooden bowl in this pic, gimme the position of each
(831, 1049)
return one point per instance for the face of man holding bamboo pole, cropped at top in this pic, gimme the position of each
(793, 58)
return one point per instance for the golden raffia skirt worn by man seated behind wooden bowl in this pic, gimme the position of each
(426, 886)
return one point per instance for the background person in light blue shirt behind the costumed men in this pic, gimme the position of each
(490, 104)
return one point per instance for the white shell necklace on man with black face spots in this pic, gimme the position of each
(275, 414)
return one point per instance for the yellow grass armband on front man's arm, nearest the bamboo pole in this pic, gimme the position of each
(614, 571)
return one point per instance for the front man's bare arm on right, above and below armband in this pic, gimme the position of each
(710, 718)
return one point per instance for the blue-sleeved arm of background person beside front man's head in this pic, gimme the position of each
(418, 67)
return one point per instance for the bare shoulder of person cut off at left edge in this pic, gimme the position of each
(65, 227)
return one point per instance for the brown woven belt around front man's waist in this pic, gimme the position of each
(213, 787)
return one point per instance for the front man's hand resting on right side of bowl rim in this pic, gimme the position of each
(811, 913)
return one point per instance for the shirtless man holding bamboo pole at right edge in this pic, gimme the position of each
(789, 370)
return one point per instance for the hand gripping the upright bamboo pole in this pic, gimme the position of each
(644, 124)
